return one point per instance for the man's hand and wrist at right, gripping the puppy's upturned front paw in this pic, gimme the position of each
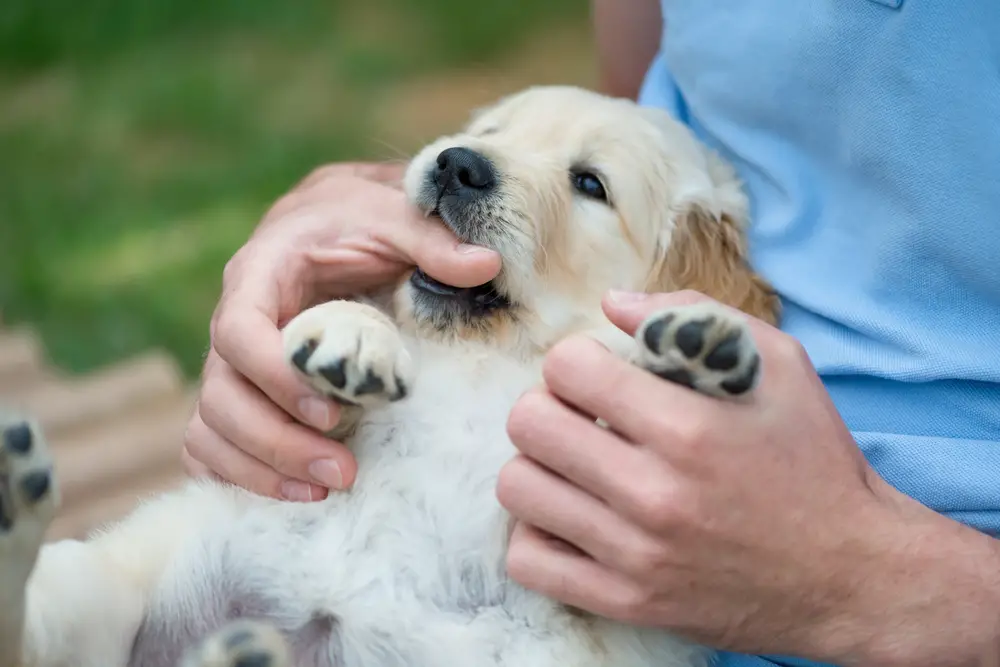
(756, 525)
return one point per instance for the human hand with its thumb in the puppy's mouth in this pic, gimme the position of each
(342, 230)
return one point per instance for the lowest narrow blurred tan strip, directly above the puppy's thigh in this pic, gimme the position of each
(79, 521)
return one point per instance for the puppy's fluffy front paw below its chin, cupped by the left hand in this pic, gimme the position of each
(350, 352)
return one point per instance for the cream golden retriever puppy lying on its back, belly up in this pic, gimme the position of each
(579, 193)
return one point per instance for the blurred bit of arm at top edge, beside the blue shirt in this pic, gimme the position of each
(627, 33)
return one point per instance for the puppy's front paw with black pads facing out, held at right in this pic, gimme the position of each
(702, 346)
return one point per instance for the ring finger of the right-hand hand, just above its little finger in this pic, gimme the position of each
(542, 499)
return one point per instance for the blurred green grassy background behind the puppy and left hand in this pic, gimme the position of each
(141, 141)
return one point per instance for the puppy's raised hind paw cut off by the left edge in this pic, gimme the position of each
(28, 500)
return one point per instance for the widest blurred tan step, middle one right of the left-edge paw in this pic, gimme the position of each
(95, 462)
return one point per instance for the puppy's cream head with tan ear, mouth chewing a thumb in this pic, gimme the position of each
(579, 193)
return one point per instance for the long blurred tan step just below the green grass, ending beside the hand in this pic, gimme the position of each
(64, 404)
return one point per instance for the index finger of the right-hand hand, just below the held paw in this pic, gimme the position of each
(636, 404)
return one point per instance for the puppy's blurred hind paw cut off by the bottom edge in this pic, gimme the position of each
(241, 644)
